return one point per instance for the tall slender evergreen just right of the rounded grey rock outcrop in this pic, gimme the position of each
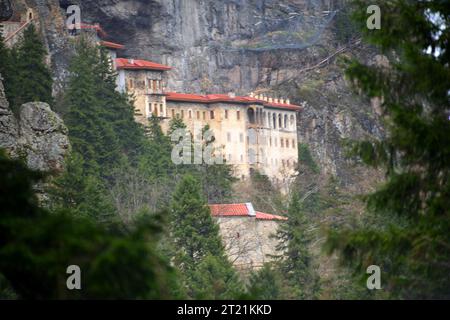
(90, 133)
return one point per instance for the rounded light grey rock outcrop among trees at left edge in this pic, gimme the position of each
(40, 136)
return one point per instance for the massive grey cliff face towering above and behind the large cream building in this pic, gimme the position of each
(279, 47)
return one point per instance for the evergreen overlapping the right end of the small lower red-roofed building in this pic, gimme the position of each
(300, 280)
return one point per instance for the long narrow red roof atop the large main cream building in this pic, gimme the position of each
(214, 98)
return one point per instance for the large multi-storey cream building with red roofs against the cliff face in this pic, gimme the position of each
(250, 132)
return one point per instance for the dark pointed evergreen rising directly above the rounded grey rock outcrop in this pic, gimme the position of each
(32, 80)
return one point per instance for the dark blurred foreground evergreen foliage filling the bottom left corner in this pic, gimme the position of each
(37, 246)
